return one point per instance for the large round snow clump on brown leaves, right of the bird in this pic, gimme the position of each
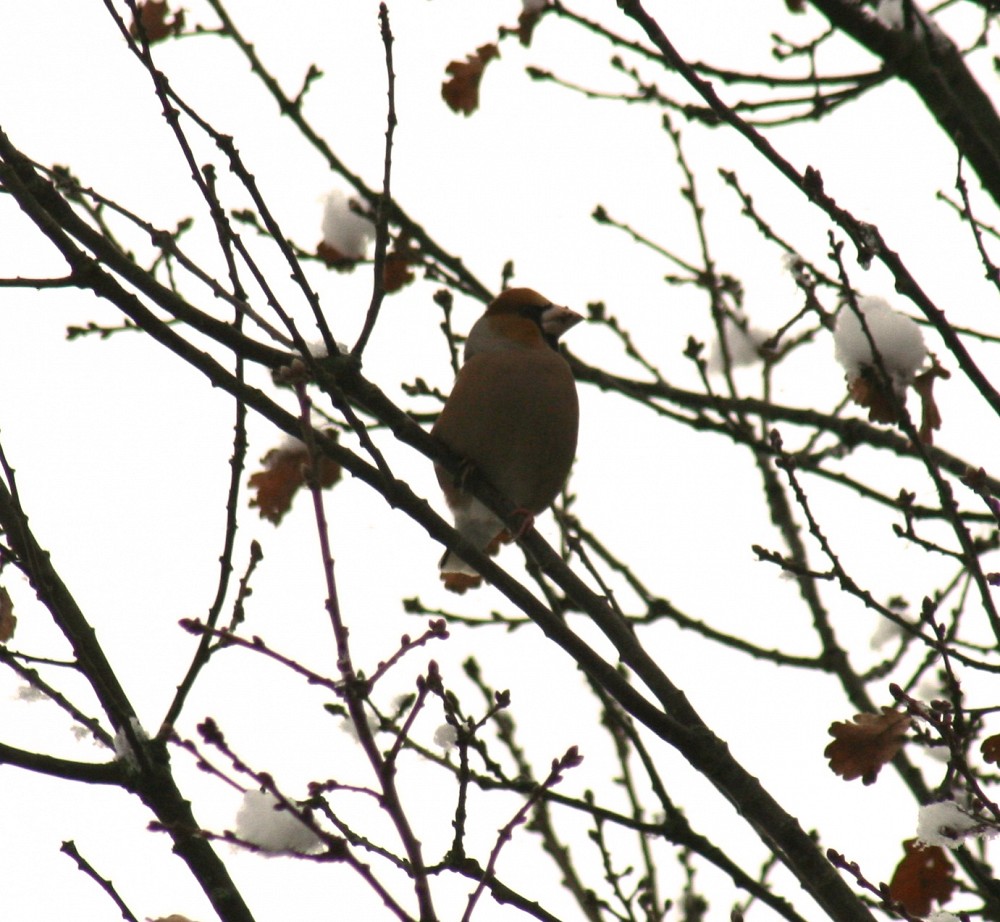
(898, 339)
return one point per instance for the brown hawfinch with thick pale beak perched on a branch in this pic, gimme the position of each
(512, 414)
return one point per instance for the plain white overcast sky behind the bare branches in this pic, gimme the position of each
(121, 453)
